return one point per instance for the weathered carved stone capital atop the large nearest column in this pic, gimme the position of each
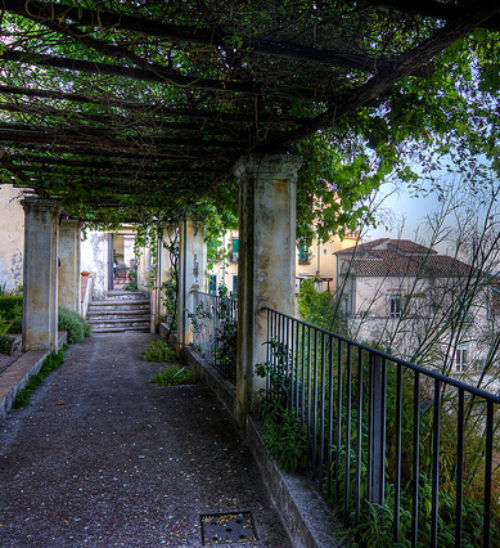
(268, 166)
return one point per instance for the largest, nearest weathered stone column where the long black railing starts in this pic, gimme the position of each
(266, 266)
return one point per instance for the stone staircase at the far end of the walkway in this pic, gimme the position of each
(120, 311)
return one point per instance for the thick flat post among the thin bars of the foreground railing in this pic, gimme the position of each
(376, 473)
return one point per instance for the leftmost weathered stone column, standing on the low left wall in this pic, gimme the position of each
(41, 233)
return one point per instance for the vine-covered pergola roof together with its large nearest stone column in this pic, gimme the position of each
(129, 111)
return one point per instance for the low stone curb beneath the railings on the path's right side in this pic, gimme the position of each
(305, 515)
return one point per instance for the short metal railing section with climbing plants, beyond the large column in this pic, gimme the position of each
(215, 321)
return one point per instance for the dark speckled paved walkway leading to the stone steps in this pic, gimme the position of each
(103, 457)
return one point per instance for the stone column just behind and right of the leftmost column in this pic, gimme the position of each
(69, 278)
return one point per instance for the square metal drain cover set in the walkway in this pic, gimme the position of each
(227, 528)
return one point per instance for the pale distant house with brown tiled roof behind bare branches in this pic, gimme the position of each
(420, 305)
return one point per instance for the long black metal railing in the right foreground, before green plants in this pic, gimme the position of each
(387, 440)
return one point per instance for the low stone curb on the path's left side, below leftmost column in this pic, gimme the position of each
(16, 376)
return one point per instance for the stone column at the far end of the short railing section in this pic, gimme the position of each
(192, 275)
